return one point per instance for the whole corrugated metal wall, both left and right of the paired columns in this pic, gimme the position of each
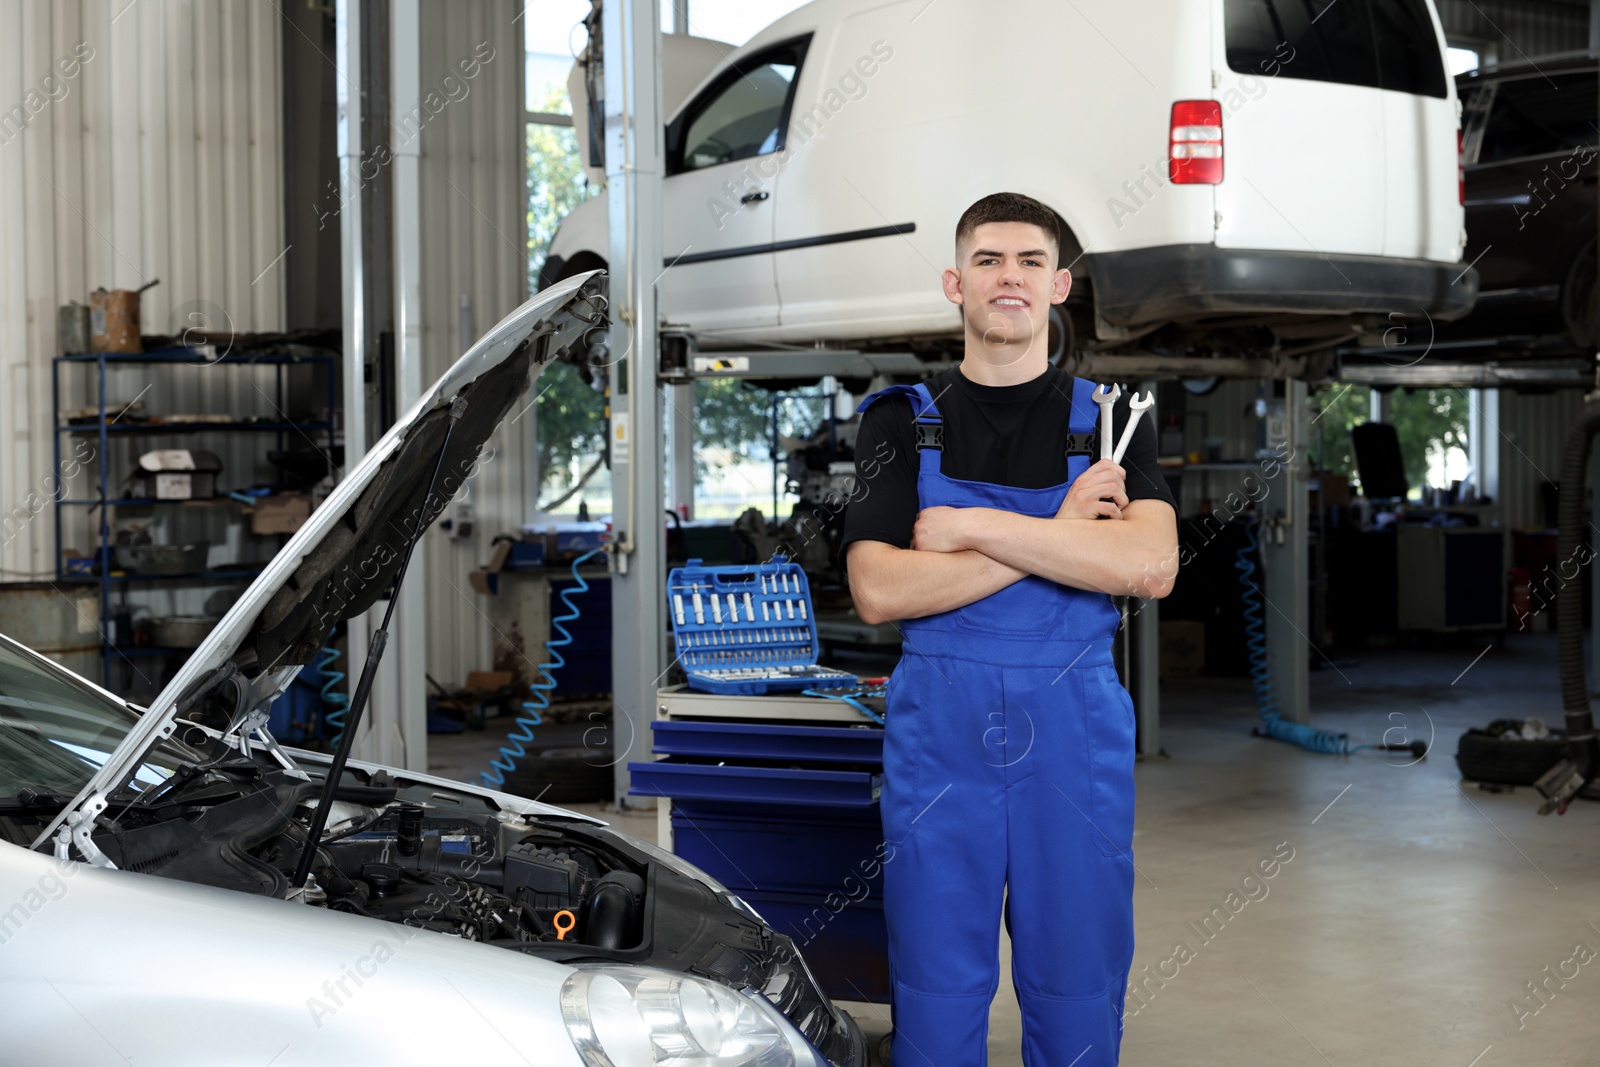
(161, 158)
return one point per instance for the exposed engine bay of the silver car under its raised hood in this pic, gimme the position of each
(455, 863)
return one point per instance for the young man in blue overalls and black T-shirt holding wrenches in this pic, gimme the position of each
(982, 524)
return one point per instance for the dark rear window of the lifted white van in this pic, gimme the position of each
(1377, 44)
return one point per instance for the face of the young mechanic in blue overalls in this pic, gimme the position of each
(1006, 284)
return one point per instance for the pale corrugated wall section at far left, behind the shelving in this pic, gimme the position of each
(158, 158)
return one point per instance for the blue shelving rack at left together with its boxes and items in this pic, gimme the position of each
(167, 482)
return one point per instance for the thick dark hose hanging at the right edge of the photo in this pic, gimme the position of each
(1570, 607)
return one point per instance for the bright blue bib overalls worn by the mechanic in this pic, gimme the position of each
(1009, 775)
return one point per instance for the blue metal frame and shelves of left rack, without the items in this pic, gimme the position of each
(105, 430)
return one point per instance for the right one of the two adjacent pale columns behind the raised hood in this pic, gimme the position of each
(401, 717)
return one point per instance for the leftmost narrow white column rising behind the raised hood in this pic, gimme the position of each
(353, 271)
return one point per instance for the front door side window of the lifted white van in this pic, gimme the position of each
(743, 114)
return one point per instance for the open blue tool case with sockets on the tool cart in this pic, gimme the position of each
(748, 629)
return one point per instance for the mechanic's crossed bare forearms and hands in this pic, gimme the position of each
(964, 554)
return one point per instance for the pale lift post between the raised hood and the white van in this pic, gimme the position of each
(633, 162)
